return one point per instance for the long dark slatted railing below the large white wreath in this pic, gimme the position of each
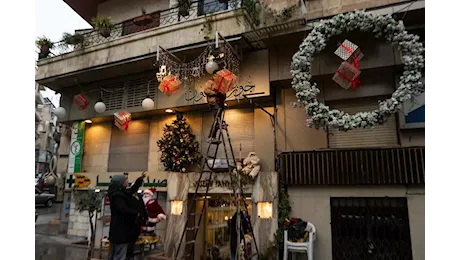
(354, 166)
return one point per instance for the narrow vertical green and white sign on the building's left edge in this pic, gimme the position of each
(76, 147)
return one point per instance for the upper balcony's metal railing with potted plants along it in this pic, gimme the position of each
(162, 18)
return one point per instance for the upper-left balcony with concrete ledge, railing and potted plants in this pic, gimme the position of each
(129, 43)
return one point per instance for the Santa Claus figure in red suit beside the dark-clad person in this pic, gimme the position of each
(155, 212)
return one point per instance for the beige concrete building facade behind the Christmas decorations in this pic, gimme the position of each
(362, 182)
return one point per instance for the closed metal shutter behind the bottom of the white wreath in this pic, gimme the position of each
(385, 135)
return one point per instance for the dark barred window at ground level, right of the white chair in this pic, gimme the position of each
(370, 228)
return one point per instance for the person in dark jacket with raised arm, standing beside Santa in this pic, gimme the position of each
(124, 215)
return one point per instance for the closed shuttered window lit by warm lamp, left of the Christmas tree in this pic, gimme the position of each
(129, 150)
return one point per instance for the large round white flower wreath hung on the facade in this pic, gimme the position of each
(394, 32)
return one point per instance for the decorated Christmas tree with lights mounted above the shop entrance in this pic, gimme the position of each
(178, 146)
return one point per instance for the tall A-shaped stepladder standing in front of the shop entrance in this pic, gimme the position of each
(218, 137)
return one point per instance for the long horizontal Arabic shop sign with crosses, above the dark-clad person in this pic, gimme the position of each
(156, 180)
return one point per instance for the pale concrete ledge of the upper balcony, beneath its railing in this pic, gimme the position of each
(132, 51)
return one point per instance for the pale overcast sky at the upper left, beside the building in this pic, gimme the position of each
(52, 18)
